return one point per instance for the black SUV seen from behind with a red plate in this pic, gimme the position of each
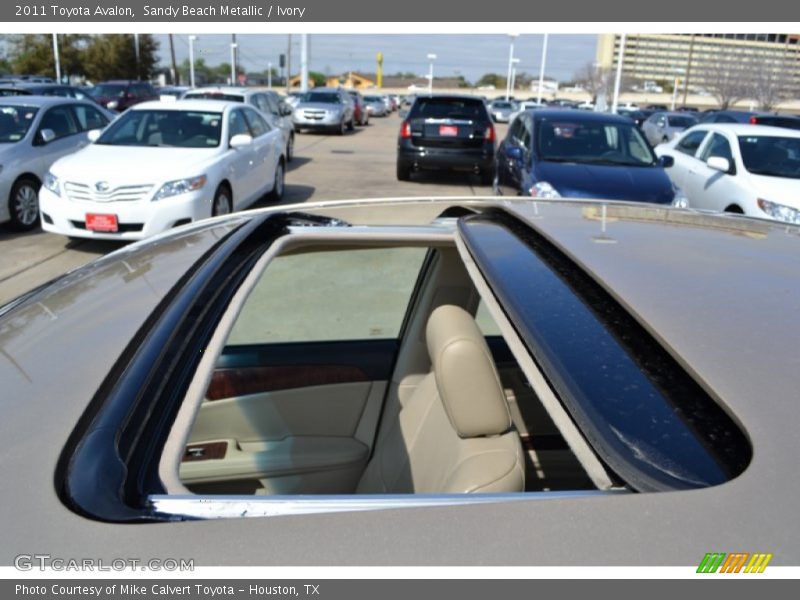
(447, 132)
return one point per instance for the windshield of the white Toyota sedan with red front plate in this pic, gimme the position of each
(164, 128)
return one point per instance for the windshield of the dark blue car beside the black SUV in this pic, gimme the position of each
(593, 143)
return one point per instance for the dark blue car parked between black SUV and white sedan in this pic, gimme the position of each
(557, 153)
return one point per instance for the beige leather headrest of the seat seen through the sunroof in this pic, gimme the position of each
(465, 374)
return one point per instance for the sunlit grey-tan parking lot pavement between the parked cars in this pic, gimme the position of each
(360, 164)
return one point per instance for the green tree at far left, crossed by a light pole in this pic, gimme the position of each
(32, 54)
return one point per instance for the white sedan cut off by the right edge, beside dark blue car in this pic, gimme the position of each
(746, 169)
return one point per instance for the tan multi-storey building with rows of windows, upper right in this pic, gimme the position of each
(694, 59)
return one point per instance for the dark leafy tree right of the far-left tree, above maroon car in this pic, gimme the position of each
(113, 56)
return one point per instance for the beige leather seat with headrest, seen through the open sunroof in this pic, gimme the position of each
(454, 433)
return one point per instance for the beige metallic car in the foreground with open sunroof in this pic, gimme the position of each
(205, 376)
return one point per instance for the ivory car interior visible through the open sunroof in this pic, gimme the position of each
(311, 393)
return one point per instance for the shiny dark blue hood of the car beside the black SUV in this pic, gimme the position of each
(574, 180)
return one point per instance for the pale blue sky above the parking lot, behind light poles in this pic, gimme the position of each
(470, 55)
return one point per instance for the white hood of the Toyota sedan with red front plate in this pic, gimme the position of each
(121, 165)
